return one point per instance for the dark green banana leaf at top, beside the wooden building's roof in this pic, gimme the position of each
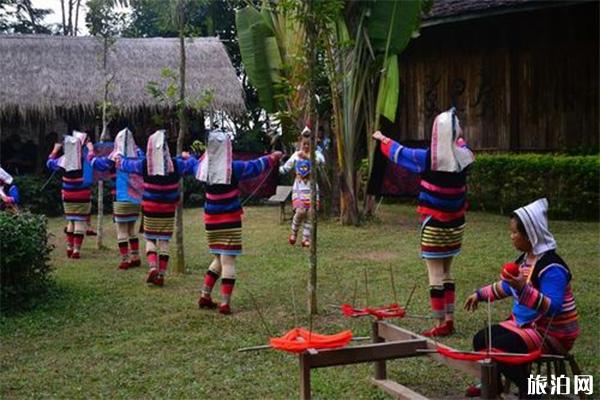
(401, 16)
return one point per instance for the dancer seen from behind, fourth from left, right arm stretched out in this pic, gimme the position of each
(223, 212)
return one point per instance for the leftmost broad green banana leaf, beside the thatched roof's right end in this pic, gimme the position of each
(256, 48)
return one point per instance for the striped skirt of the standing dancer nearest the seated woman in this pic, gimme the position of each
(441, 239)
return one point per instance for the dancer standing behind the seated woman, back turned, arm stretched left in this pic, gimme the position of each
(442, 205)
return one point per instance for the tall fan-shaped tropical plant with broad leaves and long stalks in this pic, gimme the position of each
(359, 43)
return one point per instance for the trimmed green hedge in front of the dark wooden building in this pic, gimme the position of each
(502, 183)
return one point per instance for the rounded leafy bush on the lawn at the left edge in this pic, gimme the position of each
(24, 260)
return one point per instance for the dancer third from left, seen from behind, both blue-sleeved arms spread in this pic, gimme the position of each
(161, 175)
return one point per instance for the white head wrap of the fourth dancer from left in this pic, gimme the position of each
(215, 165)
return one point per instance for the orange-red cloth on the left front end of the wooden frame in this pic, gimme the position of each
(298, 340)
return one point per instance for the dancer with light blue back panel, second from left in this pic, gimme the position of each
(126, 190)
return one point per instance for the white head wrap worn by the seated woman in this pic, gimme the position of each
(535, 220)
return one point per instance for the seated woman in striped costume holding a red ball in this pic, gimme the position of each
(544, 314)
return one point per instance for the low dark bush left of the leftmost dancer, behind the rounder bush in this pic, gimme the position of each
(38, 199)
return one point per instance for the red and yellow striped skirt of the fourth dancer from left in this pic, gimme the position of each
(224, 233)
